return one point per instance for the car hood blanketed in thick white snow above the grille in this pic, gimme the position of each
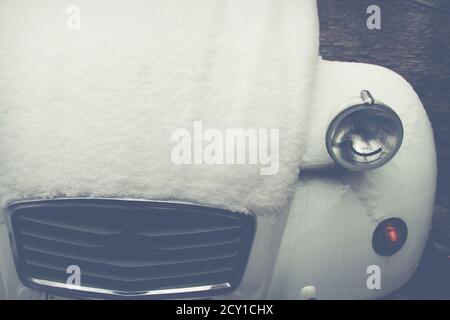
(92, 111)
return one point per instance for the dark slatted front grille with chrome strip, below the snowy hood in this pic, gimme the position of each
(130, 248)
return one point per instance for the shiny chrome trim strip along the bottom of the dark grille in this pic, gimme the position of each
(84, 289)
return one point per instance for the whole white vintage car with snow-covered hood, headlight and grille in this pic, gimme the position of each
(93, 98)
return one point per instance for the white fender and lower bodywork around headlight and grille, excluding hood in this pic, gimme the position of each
(323, 237)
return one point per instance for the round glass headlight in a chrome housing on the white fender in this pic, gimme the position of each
(364, 136)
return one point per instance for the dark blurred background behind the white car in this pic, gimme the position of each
(414, 41)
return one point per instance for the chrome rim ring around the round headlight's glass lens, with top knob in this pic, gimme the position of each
(370, 106)
